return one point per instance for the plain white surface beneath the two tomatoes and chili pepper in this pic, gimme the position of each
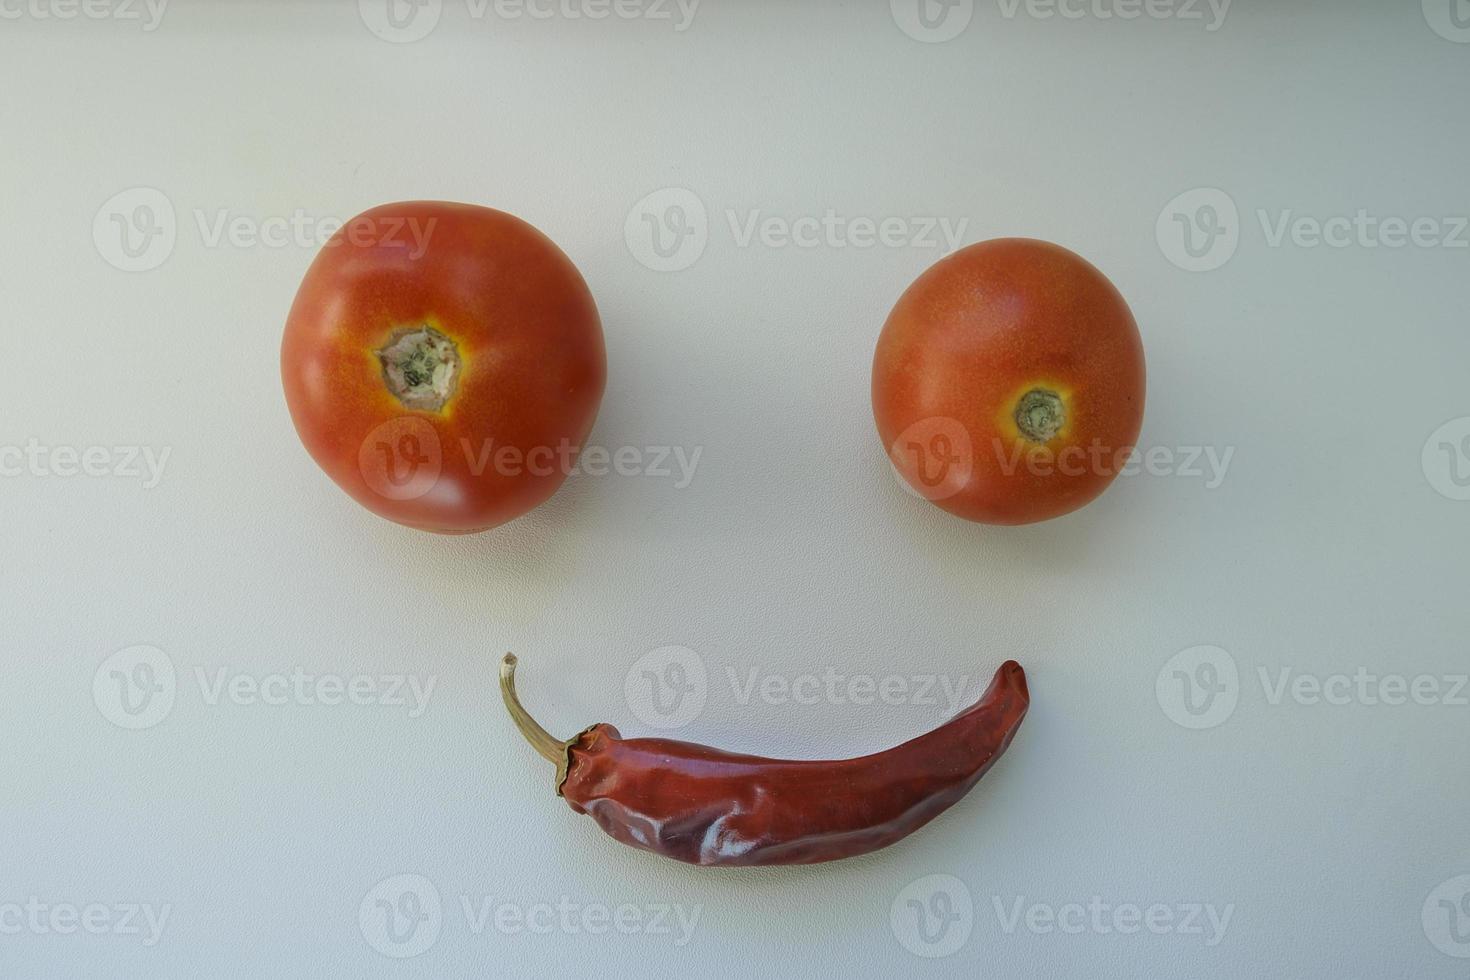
(264, 829)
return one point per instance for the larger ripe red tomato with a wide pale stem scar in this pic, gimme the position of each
(443, 364)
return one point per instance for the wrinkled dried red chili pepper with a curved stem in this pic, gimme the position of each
(709, 807)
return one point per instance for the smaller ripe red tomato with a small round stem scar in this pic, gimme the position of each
(1009, 383)
